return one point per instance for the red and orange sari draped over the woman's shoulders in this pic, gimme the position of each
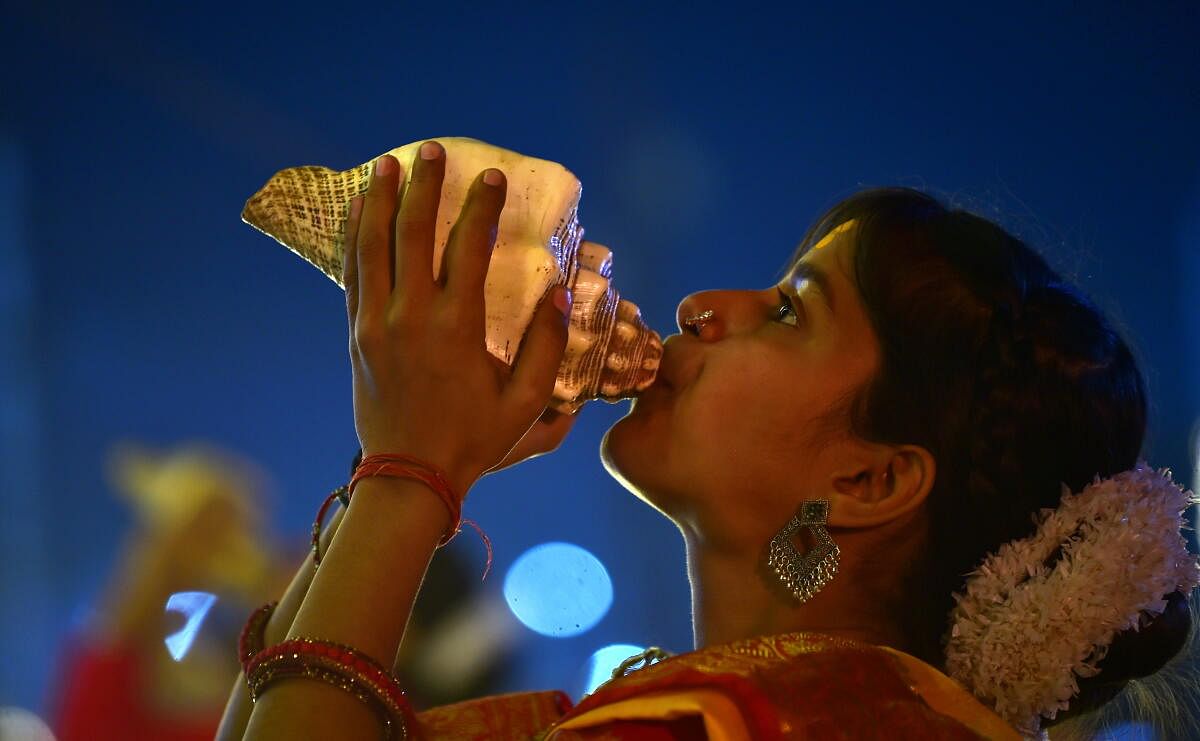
(784, 688)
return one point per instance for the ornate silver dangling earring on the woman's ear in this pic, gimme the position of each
(806, 575)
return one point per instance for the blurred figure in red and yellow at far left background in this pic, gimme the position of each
(154, 660)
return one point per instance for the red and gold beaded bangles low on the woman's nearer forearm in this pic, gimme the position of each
(340, 666)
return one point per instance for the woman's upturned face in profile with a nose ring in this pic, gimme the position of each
(743, 420)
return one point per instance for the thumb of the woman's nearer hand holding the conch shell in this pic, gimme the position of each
(542, 353)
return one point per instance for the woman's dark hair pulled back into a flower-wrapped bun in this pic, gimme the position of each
(1016, 384)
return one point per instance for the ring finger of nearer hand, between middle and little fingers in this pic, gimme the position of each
(375, 239)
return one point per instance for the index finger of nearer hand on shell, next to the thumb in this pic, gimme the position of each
(470, 248)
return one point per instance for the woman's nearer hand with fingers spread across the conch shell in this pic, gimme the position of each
(424, 382)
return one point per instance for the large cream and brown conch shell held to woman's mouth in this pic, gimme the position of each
(611, 354)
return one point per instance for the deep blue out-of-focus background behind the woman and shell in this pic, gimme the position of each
(137, 305)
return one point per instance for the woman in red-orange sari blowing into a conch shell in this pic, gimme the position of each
(838, 453)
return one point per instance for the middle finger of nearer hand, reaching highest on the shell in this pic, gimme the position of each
(416, 225)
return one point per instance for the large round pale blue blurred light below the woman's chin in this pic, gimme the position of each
(559, 591)
